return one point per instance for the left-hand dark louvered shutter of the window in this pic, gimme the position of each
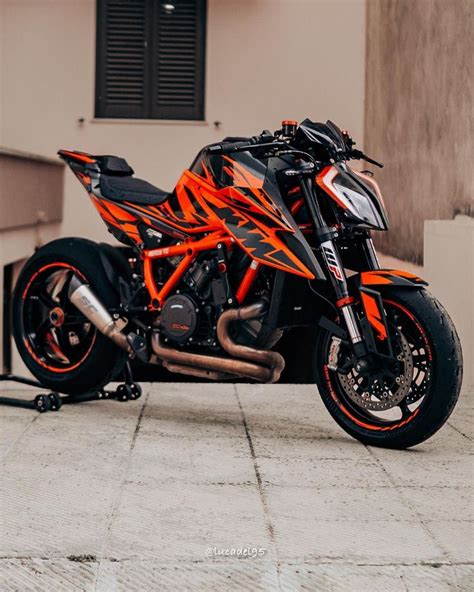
(121, 85)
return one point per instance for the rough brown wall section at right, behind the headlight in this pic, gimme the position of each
(418, 113)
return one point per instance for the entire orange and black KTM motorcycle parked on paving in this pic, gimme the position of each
(260, 235)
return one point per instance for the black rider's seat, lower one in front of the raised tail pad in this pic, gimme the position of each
(128, 188)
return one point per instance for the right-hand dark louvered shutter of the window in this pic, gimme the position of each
(178, 60)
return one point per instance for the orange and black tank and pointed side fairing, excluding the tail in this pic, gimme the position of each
(240, 201)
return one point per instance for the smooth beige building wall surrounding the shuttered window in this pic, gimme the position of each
(266, 60)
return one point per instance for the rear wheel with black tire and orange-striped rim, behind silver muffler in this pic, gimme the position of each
(61, 361)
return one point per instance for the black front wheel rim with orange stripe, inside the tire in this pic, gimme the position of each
(402, 320)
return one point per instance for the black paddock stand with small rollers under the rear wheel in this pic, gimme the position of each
(53, 401)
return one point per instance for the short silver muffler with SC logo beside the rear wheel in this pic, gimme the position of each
(87, 302)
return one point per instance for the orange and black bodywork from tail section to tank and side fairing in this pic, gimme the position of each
(240, 201)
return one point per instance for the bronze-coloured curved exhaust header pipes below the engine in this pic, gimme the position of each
(264, 366)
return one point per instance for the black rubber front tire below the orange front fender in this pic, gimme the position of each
(442, 390)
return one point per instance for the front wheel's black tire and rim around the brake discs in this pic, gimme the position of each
(436, 370)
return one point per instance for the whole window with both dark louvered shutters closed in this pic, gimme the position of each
(150, 59)
